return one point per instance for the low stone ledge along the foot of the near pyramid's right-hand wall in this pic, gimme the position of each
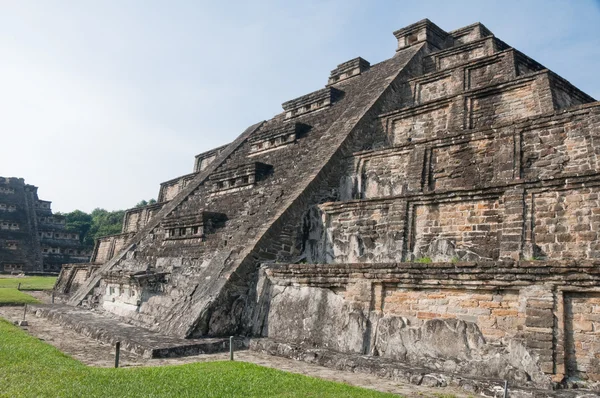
(404, 373)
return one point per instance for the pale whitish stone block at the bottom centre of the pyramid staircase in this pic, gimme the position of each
(125, 291)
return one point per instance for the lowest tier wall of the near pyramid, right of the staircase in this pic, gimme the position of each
(447, 316)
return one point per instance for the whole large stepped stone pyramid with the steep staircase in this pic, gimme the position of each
(440, 209)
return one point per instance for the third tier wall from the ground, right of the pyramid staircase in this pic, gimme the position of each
(549, 147)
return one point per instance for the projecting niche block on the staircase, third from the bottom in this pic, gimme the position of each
(239, 178)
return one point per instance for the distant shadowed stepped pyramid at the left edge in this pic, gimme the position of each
(31, 237)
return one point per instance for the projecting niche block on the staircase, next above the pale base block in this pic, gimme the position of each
(194, 226)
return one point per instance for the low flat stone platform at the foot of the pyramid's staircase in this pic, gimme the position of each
(133, 339)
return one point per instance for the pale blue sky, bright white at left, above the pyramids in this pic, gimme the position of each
(103, 100)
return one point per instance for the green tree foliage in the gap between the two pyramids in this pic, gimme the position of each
(98, 223)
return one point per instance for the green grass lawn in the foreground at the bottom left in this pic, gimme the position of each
(31, 368)
